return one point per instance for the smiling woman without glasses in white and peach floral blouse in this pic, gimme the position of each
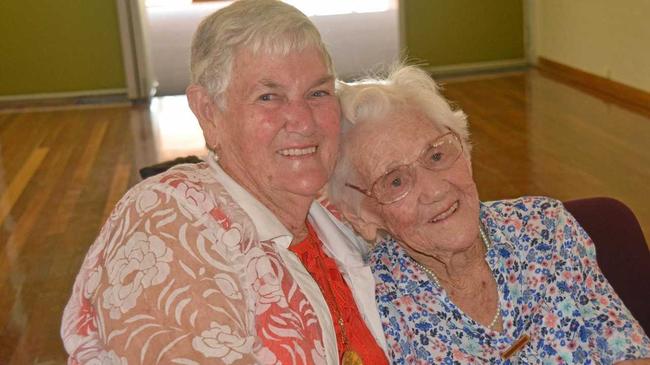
(231, 261)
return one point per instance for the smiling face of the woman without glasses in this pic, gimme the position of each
(279, 132)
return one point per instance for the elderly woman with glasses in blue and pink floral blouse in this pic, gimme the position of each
(459, 281)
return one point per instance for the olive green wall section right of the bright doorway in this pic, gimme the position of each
(447, 32)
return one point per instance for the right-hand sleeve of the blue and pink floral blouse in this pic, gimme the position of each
(609, 325)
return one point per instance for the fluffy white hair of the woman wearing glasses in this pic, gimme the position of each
(370, 99)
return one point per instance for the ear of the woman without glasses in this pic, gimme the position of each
(206, 112)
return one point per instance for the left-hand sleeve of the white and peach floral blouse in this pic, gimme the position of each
(161, 284)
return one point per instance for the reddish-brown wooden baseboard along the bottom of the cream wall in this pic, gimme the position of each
(596, 85)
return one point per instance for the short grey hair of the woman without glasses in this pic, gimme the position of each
(260, 26)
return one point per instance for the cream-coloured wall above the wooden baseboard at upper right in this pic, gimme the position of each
(607, 38)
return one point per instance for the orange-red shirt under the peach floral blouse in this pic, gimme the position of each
(339, 300)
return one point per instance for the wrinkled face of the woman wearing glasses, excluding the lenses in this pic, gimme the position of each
(440, 214)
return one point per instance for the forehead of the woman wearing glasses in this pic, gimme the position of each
(395, 139)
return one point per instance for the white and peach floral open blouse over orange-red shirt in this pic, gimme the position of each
(184, 273)
